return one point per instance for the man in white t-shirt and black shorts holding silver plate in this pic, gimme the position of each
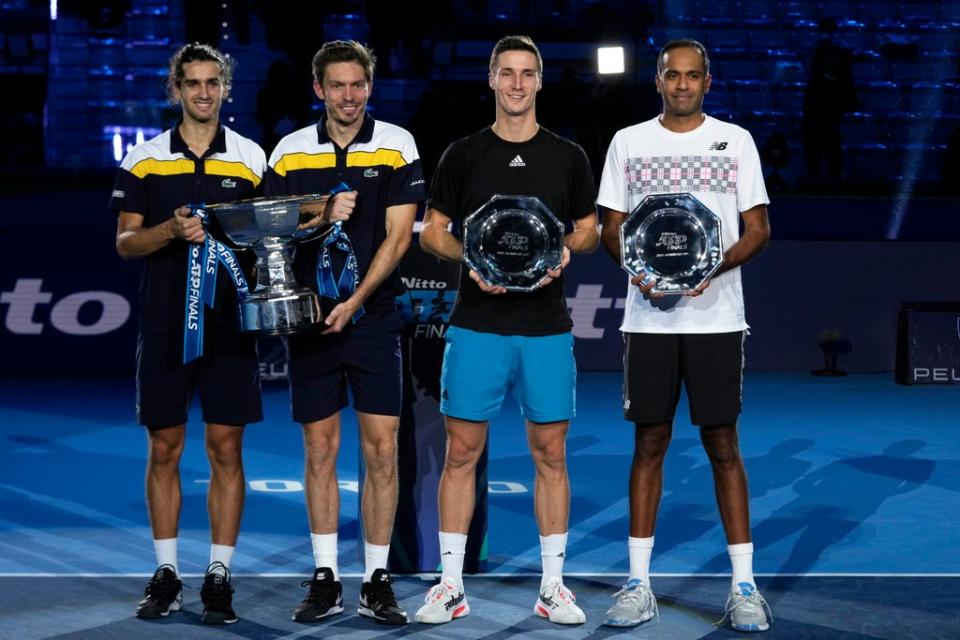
(695, 338)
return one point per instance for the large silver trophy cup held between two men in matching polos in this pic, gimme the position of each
(277, 304)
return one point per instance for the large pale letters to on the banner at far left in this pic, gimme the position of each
(28, 295)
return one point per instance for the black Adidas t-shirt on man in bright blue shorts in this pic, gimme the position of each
(481, 165)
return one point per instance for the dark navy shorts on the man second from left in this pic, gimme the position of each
(365, 355)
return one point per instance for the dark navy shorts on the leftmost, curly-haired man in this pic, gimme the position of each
(227, 377)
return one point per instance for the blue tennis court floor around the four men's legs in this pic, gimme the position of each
(855, 484)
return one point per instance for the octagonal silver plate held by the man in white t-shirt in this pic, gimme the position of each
(673, 238)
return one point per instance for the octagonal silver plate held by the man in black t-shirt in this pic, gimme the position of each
(511, 241)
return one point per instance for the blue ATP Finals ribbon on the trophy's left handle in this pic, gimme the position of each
(202, 261)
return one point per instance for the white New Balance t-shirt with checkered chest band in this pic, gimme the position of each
(718, 164)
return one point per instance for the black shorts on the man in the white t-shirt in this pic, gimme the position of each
(709, 364)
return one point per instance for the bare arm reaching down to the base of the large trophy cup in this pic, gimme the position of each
(399, 223)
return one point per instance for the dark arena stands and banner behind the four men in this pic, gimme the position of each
(853, 105)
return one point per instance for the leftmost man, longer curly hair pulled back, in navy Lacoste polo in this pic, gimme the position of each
(198, 161)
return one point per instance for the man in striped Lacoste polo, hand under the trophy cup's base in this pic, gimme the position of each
(376, 169)
